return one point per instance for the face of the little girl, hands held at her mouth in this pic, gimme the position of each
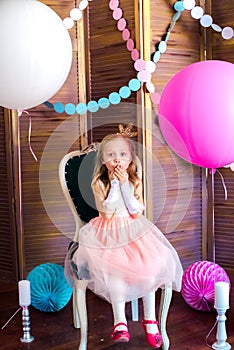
(116, 152)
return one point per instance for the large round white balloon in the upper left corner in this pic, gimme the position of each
(36, 53)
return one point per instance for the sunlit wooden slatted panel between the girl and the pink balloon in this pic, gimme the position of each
(174, 180)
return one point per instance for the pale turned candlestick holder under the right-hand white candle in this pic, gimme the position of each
(221, 334)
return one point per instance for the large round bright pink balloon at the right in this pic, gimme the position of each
(196, 113)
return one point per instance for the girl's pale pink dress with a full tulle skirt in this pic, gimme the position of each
(124, 258)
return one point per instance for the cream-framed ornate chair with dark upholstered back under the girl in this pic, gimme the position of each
(75, 173)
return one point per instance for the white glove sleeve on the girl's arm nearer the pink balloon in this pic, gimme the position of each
(132, 204)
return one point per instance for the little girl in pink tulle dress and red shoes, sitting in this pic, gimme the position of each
(126, 256)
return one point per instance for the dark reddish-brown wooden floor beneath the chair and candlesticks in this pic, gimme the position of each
(187, 328)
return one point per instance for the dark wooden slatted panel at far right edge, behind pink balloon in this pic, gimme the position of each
(223, 15)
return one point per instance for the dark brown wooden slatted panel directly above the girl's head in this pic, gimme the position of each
(111, 67)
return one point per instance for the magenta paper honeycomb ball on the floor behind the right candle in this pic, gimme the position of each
(198, 284)
